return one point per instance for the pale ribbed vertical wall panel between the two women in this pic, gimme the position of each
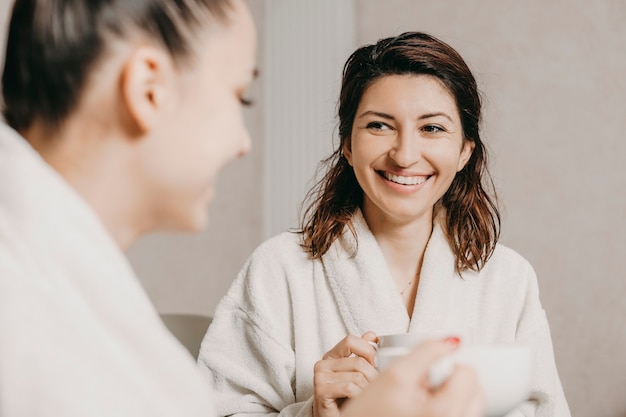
(302, 78)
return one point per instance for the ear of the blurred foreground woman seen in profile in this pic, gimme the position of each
(146, 78)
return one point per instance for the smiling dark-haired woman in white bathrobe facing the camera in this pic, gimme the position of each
(400, 235)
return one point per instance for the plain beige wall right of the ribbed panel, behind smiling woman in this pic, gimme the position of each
(553, 74)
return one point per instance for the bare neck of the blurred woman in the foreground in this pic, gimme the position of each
(98, 168)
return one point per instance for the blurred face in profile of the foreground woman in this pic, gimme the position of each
(202, 128)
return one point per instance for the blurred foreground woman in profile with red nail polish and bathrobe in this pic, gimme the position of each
(119, 116)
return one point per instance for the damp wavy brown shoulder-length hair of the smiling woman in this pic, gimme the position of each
(471, 215)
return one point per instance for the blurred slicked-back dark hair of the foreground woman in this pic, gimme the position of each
(53, 45)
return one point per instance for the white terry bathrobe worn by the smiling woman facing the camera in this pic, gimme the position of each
(284, 311)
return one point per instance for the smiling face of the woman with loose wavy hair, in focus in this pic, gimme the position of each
(406, 147)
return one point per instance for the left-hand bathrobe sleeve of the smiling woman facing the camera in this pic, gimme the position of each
(247, 354)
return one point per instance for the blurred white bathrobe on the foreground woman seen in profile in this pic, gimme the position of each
(78, 335)
